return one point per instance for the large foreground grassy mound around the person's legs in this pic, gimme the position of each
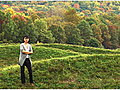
(76, 72)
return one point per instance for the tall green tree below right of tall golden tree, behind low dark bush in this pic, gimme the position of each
(86, 31)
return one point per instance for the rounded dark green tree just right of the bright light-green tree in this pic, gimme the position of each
(58, 32)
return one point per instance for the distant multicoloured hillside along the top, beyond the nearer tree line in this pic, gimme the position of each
(83, 7)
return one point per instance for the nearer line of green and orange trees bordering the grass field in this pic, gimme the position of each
(96, 31)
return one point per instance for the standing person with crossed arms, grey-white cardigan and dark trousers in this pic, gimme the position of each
(25, 60)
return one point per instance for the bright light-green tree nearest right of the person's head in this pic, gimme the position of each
(43, 35)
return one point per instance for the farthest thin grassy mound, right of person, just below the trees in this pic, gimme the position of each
(81, 49)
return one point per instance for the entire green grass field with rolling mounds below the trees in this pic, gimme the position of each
(61, 66)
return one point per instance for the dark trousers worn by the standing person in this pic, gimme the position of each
(28, 65)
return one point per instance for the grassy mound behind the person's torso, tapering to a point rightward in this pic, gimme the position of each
(10, 54)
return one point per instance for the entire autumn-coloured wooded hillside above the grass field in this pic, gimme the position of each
(86, 23)
